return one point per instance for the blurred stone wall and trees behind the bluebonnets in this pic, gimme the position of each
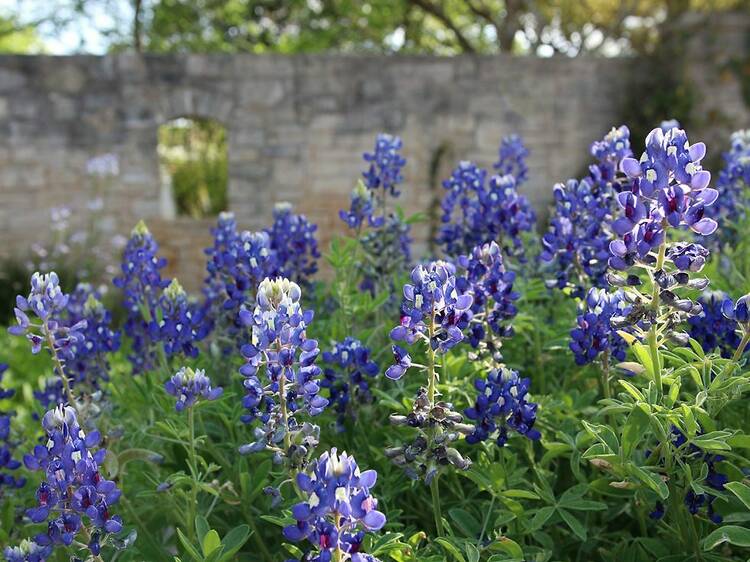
(175, 110)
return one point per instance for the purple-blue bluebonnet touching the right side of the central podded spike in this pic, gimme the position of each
(491, 286)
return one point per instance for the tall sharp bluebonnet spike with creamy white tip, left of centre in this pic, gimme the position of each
(280, 344)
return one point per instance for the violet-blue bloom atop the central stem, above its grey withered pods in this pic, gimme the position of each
(432, 310)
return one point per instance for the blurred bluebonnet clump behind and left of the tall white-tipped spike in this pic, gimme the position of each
(237, 263)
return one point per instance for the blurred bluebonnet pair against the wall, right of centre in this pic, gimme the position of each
(476, 211)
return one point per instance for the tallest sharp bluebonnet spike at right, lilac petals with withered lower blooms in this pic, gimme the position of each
(668, 189)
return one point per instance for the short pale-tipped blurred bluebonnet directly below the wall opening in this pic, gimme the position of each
(178, 324)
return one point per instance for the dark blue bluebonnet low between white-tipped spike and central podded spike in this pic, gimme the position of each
(346, 377)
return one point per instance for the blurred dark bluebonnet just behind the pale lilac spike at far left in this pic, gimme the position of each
(88, 361)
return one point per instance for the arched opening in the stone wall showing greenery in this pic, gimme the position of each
(193, 165)
